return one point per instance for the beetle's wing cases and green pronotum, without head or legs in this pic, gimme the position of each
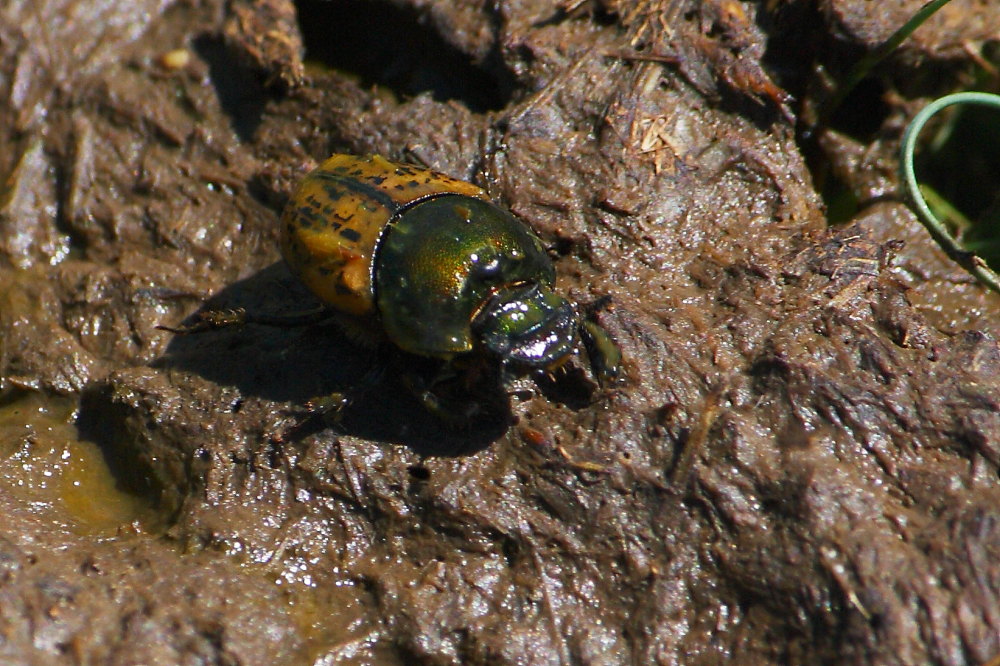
(420, 251)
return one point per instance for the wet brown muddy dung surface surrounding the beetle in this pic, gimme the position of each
(801, 465)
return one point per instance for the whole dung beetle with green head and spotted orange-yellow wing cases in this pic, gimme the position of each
(404, 254)
